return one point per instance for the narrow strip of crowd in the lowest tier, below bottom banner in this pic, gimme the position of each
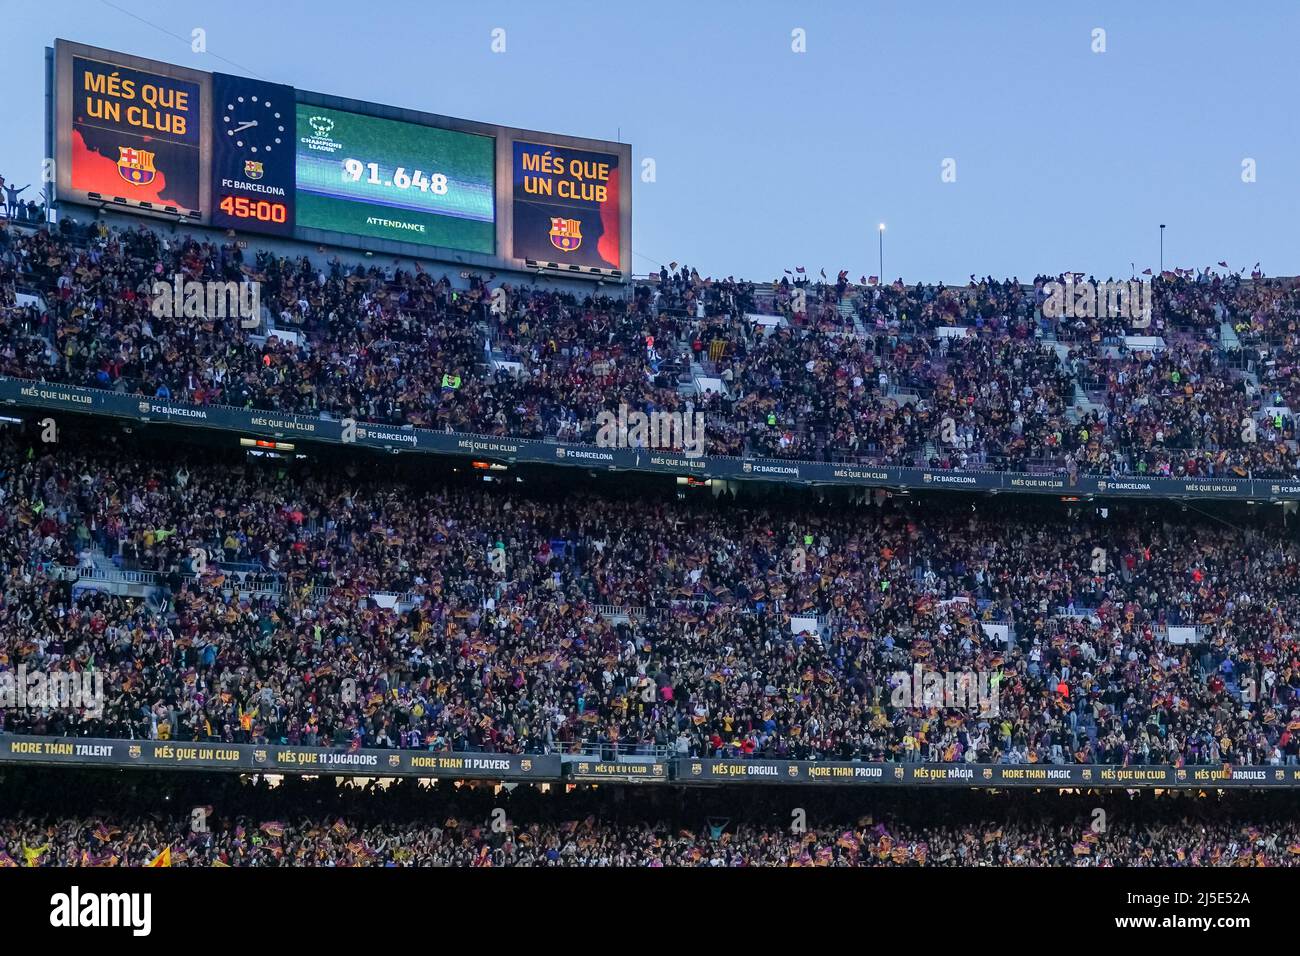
(162, 820)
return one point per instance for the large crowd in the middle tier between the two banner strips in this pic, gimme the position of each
(510, 637)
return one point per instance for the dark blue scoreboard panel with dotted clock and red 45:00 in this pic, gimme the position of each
(253, 155)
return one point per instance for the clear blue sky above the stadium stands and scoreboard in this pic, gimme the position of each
(766, 159)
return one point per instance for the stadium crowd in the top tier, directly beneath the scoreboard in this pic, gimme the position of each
(864, 373)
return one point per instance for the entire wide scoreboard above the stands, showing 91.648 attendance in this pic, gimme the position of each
(255, 157)
